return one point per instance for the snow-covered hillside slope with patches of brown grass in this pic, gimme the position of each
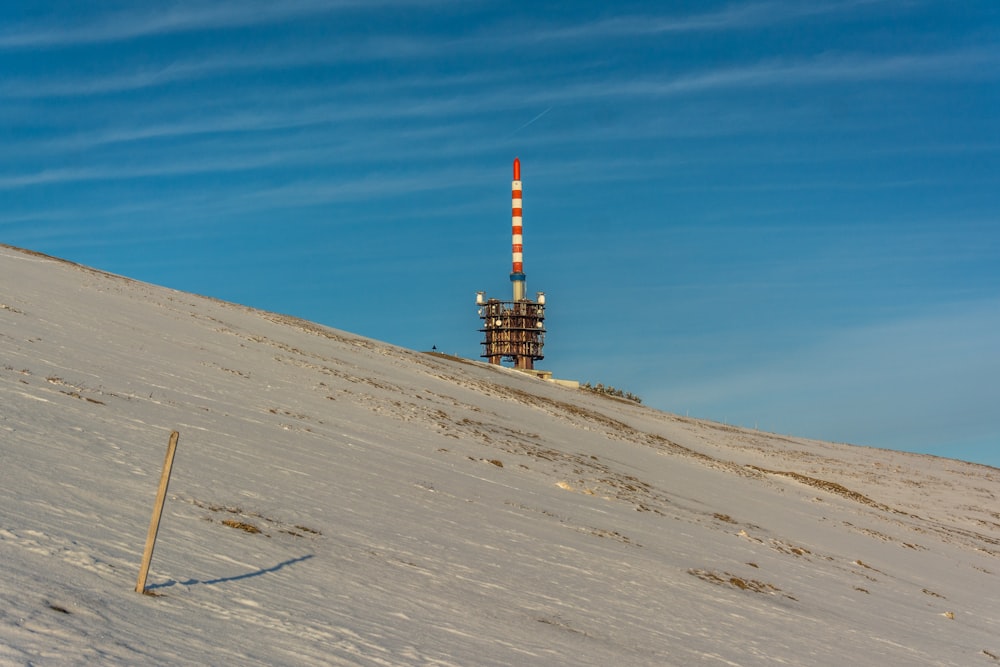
(415, 509)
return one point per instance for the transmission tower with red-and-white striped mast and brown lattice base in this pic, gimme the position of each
(514, 330)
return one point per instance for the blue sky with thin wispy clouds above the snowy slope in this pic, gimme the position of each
(772, 213)
